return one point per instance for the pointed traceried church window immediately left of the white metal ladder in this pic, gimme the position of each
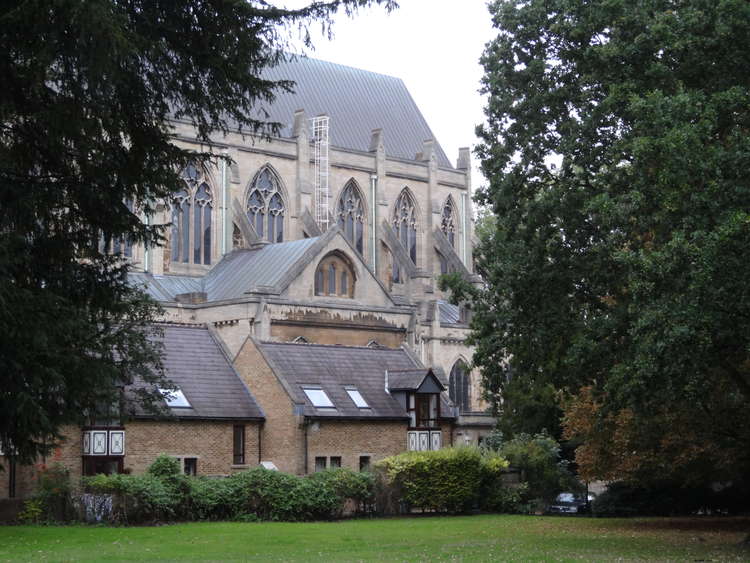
(265, 207)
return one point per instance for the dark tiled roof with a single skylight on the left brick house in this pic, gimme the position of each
(196, 364)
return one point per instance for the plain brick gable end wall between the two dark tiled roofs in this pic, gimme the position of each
(282, 439)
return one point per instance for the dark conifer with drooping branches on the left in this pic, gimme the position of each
(87, 93)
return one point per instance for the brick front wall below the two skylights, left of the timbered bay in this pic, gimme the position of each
(352, 439)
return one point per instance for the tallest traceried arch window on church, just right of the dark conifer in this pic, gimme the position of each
(192, 208)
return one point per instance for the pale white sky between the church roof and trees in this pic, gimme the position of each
(433, 46)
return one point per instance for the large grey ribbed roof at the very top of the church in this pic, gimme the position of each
(357, 102)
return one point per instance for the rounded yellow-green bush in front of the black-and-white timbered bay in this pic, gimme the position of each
(451, 479)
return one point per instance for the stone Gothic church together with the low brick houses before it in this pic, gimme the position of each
(303, 323)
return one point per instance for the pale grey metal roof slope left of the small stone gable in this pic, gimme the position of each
(243, 270)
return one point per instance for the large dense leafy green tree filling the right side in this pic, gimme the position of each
(617, 150)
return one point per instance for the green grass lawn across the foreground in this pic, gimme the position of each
(470, 538)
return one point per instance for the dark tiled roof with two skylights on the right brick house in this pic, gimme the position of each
(333, 368)
